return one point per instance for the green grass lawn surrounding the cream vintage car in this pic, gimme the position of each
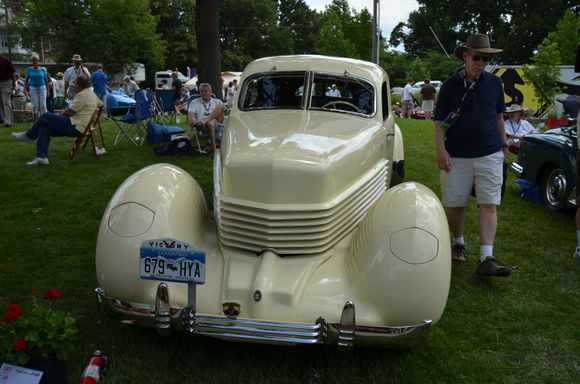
(523, 329)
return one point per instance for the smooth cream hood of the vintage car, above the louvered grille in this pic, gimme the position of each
(297, 157)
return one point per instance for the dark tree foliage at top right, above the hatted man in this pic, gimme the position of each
(517, 26)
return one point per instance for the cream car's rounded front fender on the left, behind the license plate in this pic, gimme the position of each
(157, 202)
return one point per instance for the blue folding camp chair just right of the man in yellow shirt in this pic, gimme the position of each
(137, 120)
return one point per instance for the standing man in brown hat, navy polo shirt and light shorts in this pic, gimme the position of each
(471, 148)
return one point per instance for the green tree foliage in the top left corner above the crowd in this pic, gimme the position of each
(113, 32)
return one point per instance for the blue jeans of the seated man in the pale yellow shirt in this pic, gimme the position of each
(47, 126)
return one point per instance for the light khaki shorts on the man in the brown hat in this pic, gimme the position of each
(485, 172)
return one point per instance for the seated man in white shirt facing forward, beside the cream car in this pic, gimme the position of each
(206, 113)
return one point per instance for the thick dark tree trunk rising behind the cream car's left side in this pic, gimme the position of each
(208, 45)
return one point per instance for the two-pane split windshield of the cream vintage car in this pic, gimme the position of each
(328, 92)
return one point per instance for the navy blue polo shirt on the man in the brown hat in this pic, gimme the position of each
(475, 133)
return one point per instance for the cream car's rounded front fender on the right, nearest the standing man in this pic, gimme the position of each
(401, 254)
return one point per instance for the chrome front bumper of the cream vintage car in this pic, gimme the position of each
(345, 334)
